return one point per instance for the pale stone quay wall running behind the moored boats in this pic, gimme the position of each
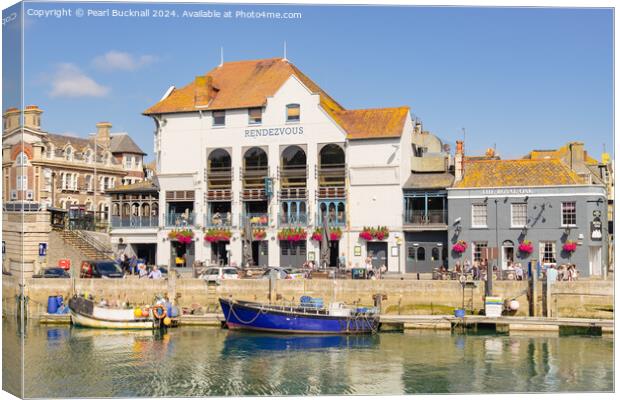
(591, 299)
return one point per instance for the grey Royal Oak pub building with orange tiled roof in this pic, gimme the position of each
(497, 204)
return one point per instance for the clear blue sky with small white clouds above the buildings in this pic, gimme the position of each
(516, 78)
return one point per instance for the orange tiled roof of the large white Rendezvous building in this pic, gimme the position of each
(243, 84)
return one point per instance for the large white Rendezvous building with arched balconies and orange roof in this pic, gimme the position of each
(218, 138)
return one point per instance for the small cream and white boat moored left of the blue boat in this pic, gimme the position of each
(84, 312)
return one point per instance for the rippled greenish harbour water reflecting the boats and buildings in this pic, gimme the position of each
(196, 361)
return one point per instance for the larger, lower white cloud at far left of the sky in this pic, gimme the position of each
(70, 81)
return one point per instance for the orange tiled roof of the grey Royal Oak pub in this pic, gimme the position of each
(499, 173)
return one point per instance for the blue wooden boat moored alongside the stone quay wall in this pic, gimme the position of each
(337, 319)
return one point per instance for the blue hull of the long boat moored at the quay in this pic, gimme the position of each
(253, 316)
